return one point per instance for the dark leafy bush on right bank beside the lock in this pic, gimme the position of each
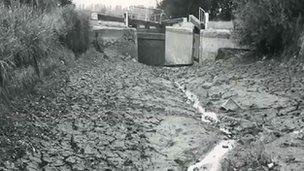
(270, 26)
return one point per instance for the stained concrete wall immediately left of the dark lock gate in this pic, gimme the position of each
(122, 41)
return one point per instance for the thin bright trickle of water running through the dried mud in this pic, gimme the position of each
(212, 161)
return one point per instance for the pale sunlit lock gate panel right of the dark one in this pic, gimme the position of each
(179, 46)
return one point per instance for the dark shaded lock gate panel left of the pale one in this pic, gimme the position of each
(151, 48)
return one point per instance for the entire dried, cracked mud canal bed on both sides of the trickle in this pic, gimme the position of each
(111, 113)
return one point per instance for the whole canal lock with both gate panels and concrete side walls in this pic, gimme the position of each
(182, 42)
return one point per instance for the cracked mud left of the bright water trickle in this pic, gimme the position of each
(114, 114)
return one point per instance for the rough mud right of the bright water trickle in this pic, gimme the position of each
(269, 124)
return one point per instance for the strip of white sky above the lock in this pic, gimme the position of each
(124, 3)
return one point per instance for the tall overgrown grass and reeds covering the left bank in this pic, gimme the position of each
(36, 37)
